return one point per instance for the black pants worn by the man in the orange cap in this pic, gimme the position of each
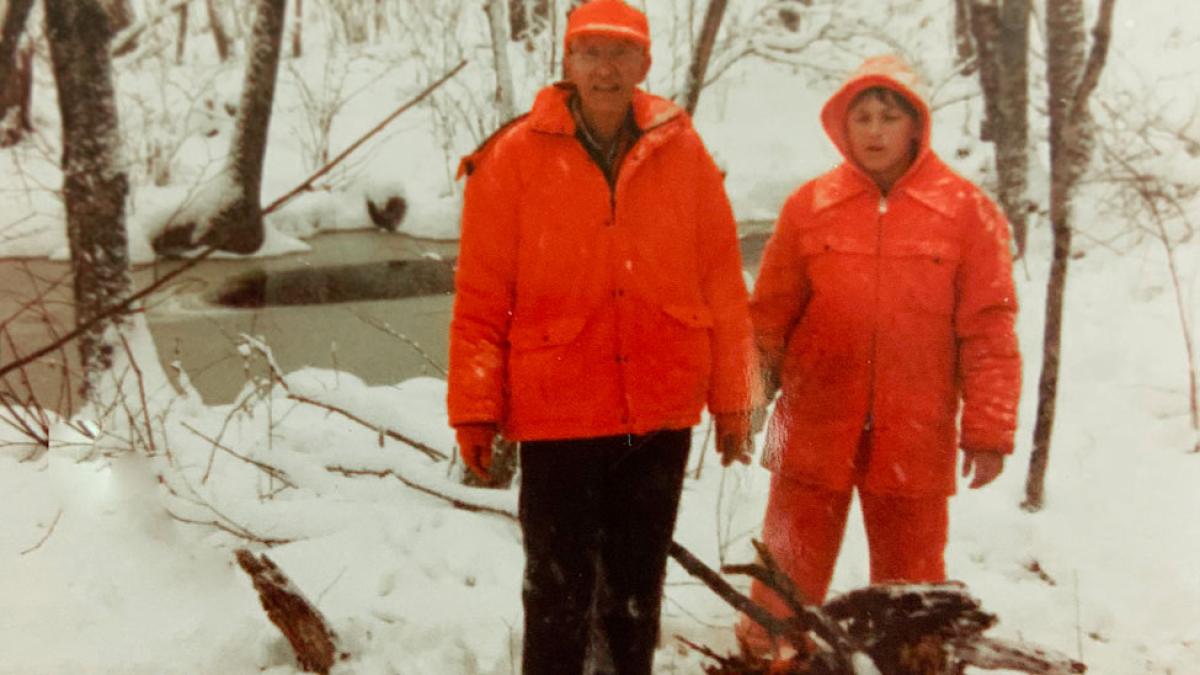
(598, 516)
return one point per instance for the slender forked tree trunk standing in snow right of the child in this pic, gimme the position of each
(1071, 81)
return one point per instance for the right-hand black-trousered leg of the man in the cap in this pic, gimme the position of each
(641, 500)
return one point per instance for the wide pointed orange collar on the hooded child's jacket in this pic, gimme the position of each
(925, 182)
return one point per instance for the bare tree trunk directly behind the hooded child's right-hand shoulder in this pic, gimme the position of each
(1001, 40)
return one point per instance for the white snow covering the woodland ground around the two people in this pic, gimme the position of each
(101, 575)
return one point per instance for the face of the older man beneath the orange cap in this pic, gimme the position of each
(605, 70)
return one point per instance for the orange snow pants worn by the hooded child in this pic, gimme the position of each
(803, 530)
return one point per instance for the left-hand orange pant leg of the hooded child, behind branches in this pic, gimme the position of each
(803, 531)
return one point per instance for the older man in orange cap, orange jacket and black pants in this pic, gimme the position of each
(601, 307)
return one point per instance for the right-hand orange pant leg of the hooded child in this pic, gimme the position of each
(908, 537)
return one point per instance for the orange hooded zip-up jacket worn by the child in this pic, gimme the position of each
(883, 314)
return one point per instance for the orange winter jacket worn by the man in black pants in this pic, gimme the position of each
(584, 310)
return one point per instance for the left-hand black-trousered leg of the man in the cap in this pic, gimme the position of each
(560, 483)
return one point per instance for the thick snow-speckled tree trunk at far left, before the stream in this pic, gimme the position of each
(94, 183)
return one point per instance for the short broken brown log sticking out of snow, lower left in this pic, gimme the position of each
(303, 625)
